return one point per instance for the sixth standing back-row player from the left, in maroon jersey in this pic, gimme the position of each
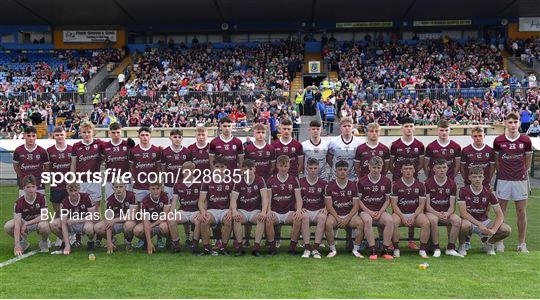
(172, 159)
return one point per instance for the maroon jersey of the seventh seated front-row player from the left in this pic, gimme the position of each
(249, 195)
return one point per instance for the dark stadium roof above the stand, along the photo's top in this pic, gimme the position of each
(144, 12)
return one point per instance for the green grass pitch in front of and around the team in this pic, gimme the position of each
(163, 275)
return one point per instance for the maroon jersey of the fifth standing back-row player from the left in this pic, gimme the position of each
(144, 161)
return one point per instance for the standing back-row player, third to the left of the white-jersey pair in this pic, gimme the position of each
(228, 146)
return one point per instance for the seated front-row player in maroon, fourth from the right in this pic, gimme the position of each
(374, 192)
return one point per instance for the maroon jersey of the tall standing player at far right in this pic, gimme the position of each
(512, 157)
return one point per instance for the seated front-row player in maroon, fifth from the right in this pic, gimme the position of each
(341, 200)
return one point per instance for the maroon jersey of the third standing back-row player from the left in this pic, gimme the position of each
(88, 156)
